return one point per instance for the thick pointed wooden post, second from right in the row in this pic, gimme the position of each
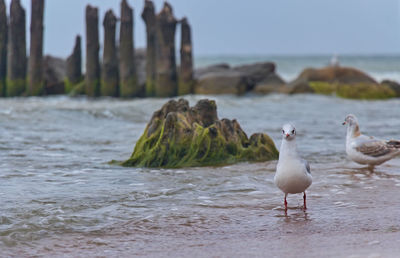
(166, 73)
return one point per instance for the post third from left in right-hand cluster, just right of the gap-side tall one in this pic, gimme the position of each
(109, 71)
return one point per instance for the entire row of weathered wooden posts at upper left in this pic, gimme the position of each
(116, 74)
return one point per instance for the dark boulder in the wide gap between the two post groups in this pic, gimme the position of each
(54, 74)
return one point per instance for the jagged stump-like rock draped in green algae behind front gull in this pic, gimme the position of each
(182, 136)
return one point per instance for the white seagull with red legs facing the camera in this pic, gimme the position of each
(293, 174)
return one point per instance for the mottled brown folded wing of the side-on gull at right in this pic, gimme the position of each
(377, 148)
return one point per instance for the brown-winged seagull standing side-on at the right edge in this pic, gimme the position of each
(367, 150)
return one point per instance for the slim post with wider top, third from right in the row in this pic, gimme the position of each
(149, 17)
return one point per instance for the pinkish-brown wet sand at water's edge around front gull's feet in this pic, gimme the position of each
(356, 217)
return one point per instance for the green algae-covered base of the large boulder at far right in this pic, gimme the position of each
(354, 90)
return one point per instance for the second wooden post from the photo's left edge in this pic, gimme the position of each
(16, 61)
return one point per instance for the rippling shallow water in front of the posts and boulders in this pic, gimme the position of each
(59, 197)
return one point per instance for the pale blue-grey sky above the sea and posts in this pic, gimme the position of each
(252, 27)
